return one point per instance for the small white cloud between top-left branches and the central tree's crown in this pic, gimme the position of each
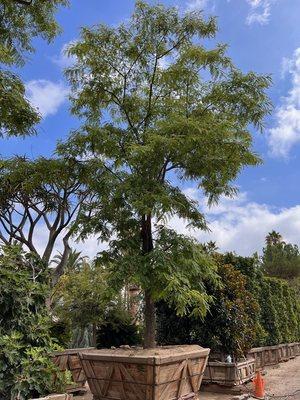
(46, 96)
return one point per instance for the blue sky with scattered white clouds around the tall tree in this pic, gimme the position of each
(263, 36)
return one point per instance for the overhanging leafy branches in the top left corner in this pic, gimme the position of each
(19, 24)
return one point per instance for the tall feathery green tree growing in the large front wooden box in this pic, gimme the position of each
(159, 109)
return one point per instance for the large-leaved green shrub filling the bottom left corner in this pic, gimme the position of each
(26, 369)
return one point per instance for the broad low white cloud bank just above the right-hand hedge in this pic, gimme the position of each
(241, 225)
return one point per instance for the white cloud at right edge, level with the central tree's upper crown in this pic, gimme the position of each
(286, 133)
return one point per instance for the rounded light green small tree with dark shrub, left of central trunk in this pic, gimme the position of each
(83, 301)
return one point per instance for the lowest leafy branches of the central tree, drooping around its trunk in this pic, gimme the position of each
(176, 270)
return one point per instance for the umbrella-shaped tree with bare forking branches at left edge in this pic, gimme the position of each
(44, 195)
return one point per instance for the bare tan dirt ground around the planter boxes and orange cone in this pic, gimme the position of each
(282, 381)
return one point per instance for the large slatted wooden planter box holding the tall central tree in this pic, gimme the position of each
(163, 373)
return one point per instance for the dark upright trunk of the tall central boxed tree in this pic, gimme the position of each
(150, 320)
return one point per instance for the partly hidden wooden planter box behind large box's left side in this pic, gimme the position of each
(69, 360)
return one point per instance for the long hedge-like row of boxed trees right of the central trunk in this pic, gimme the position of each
(249, 310)
